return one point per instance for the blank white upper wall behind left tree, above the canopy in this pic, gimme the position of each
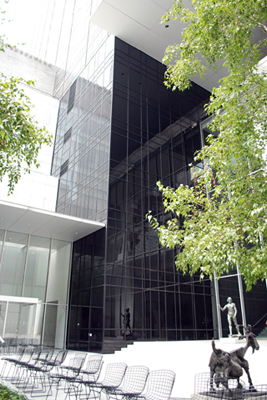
(37, 189)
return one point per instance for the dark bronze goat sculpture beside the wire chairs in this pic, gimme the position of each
(224, 365)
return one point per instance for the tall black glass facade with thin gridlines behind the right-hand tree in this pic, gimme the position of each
(154, 134)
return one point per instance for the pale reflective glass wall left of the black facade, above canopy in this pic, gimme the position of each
(84, 85)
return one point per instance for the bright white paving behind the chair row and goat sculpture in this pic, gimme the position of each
(187, 359)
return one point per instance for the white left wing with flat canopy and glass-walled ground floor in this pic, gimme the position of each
(36, 243)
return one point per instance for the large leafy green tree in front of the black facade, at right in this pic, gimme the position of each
(221, 222)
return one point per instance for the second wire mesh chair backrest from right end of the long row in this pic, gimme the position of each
(134, 380)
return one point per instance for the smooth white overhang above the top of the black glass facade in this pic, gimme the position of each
(137, 22)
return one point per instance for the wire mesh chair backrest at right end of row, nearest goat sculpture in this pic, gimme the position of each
(159, 384)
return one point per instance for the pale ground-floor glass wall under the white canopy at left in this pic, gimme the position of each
(34, 284)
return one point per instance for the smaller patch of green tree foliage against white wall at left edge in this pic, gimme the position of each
(20, 135)
